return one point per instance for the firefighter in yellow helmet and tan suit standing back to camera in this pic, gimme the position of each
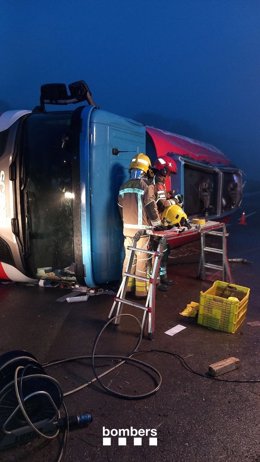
(138, 209)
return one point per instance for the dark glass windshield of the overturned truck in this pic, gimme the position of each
(48, 175)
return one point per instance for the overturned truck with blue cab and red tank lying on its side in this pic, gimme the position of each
(60, 172)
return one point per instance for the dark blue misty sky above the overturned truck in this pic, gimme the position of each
(188, 66)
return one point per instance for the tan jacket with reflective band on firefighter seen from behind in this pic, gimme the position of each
(137, 206)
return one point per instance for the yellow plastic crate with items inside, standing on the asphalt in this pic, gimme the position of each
(217, 309)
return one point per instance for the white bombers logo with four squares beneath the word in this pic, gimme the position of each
(123, 435)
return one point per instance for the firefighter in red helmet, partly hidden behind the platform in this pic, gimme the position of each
(163, 168)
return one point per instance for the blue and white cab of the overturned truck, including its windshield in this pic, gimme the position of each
(60, 174)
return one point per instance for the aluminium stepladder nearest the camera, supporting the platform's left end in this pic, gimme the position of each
(149, 306)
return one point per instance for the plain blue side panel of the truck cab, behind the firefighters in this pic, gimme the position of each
(102, 238)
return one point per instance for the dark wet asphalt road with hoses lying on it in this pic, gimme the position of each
(191, 418)
